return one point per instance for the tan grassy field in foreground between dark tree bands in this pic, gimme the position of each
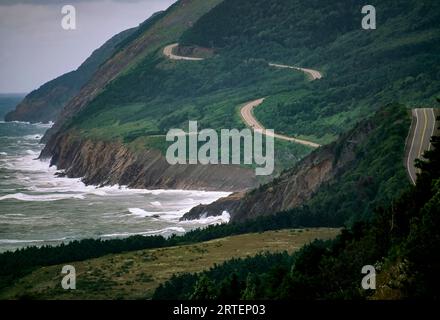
(135, 275)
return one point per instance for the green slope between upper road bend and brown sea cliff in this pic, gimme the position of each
(175, 93)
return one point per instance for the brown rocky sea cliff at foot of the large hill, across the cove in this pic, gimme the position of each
(103, 163)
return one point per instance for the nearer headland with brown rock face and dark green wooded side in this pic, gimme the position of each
(359, 166)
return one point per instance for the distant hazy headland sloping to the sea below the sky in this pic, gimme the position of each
(45, 103)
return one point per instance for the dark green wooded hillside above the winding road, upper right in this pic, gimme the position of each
(363, 69)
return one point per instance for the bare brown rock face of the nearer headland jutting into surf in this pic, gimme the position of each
(294, 187)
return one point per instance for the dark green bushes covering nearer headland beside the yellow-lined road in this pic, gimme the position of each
(375, 176)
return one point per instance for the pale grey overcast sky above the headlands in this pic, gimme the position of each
(34, 48)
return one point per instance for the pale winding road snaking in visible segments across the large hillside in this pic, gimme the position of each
(247, 110)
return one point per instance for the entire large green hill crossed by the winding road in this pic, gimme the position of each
(138, 95)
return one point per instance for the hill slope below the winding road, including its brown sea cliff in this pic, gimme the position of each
(138, 95)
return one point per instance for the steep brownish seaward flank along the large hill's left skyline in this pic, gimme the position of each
(163, 29)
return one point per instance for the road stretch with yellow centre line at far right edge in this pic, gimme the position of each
(422, 129)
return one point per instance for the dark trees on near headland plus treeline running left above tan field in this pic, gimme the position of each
(386, 171)
